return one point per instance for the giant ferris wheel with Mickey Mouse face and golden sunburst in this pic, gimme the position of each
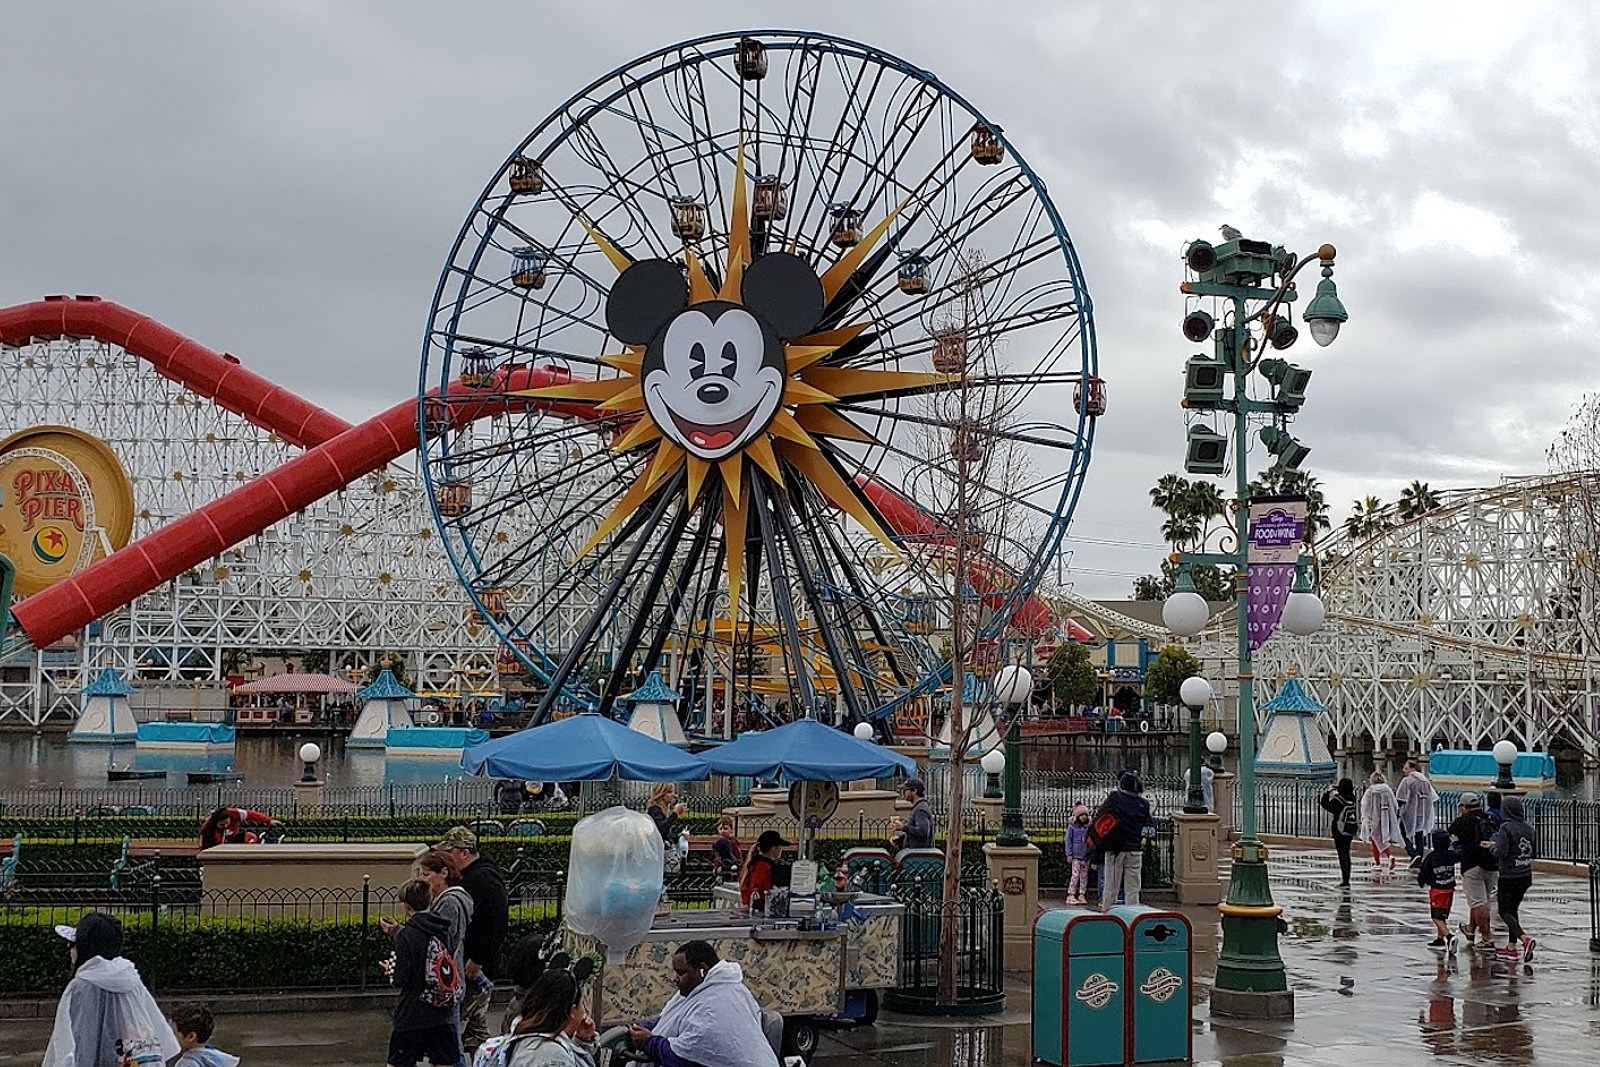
(748, 362)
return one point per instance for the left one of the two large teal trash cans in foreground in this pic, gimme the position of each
(1081, 962)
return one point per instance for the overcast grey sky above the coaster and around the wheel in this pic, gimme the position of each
(286, 180)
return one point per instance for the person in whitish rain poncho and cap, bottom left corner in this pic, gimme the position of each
(106, 1017)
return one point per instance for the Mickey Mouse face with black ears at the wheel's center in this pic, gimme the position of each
(714, 374)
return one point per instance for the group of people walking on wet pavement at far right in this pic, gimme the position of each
(1487, 852)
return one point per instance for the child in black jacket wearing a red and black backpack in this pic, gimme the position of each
(425, 972)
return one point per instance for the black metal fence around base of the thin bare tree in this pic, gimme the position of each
(978, 916)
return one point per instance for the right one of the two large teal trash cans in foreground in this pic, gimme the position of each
(1161, 983)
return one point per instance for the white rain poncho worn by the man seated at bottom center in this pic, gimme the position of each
(718, 1025)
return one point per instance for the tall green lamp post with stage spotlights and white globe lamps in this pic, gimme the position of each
(1254, 281)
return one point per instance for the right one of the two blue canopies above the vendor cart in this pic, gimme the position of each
(807, 751)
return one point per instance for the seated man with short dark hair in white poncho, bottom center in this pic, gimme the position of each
(711, 1021)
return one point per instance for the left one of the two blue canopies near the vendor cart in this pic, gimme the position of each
(582, 749)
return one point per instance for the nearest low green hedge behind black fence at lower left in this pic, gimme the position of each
(220, 954)
